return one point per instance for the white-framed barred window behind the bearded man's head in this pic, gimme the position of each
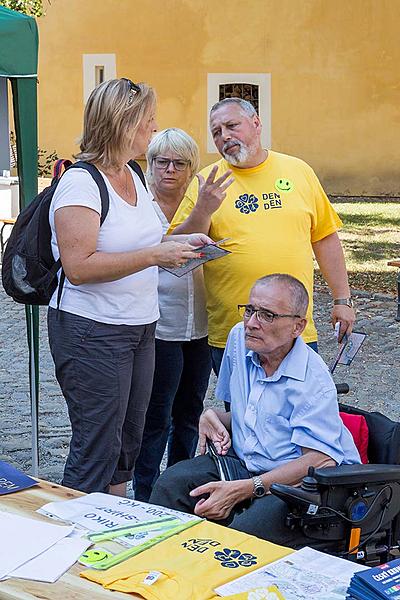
(254, 87)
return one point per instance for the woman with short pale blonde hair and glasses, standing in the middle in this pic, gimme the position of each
(183, 361)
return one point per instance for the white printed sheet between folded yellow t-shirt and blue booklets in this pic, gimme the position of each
(303, 575)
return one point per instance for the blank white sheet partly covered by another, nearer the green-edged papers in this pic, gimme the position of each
(54, 562)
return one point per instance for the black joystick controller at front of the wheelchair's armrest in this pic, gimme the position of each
(305, 498)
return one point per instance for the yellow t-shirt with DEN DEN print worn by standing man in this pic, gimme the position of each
(272, 213)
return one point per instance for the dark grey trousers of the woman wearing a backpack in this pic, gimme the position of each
(106, 374)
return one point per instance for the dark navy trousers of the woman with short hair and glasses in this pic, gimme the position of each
(180, 383)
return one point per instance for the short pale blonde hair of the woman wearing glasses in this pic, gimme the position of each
(175, 140)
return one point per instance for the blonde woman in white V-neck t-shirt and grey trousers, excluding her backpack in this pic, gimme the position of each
(101, 332)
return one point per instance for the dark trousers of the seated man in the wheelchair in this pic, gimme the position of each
(262, 517)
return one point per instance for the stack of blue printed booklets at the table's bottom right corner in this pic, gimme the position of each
(381, 582)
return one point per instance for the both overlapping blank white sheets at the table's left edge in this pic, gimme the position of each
(36, 550)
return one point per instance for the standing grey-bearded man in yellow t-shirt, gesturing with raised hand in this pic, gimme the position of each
(276, 215)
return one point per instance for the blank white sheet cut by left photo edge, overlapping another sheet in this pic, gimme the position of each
(22, 539)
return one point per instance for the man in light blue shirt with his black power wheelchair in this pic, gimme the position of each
(284, 419)
